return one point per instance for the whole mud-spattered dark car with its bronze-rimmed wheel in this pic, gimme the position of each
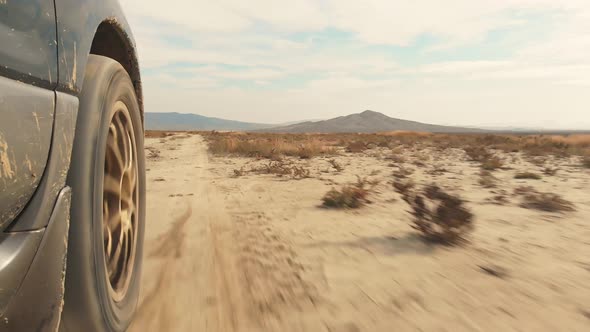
(72, 166)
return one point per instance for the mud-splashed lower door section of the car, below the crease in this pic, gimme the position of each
(26, 121)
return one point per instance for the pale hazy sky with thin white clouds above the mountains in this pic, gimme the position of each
(516, 63)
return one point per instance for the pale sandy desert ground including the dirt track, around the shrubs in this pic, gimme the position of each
(257, 253)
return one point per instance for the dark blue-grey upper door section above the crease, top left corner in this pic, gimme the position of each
(28, 26)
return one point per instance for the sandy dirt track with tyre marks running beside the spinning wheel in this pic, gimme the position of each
(195, 274)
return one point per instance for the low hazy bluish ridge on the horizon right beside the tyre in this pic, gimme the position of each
(180, 121)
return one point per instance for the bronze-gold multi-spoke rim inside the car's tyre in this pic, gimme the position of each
(120, 202)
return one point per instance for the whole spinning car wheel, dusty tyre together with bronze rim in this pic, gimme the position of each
(107, 177)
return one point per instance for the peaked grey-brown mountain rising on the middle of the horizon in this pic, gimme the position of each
(366, 122)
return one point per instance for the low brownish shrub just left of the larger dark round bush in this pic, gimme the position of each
(350, 196)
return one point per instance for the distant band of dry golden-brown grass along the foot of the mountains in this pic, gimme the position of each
(477, 146)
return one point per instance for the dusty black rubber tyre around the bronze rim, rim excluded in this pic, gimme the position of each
(87, 288)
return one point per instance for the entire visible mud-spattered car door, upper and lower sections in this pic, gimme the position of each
(28, 74)
